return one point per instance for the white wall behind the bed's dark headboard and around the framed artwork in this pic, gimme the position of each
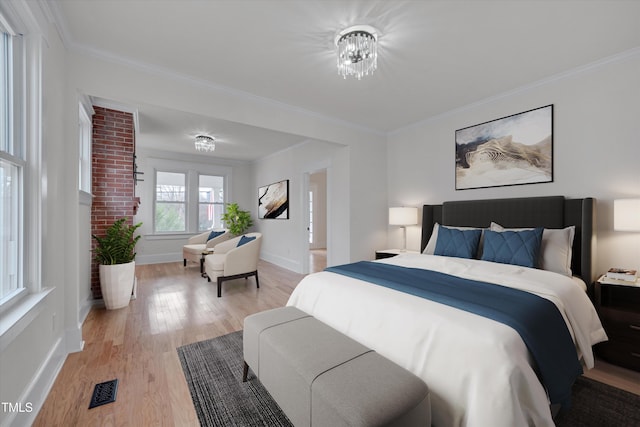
(596, 150)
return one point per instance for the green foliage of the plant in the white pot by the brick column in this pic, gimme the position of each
(118, 245)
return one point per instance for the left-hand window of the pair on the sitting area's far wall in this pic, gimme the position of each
(171, 202)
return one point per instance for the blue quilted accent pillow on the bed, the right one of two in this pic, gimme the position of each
(513, 247)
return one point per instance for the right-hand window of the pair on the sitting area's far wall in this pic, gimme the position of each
(210, 202)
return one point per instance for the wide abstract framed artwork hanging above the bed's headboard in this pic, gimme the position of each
(512, 150)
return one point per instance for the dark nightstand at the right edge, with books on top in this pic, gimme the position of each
(619, 309)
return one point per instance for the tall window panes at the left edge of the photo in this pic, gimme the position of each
(12, 165)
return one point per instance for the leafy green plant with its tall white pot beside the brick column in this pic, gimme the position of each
(115, 252)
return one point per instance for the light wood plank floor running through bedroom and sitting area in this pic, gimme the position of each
(137, 345)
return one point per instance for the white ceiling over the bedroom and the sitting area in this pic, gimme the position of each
(434, 56)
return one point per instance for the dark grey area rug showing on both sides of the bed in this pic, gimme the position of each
(213, 369)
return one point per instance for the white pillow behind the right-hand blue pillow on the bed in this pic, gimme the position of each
(555, 249)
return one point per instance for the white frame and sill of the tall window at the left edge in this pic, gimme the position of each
(20, 309)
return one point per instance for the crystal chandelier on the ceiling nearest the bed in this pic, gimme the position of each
(357, 51)
